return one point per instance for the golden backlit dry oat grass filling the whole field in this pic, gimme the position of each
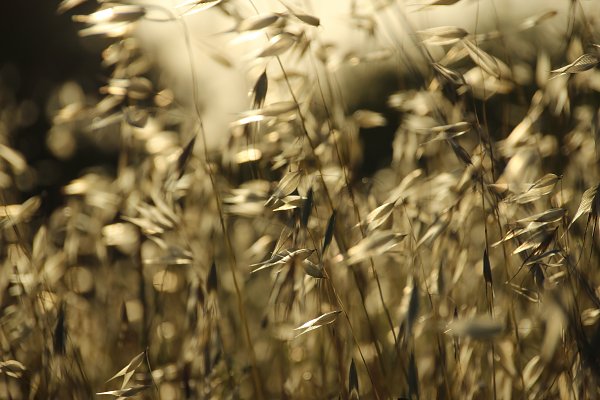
(466, 269)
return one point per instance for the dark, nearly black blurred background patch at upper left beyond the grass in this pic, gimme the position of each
(40, 54)
